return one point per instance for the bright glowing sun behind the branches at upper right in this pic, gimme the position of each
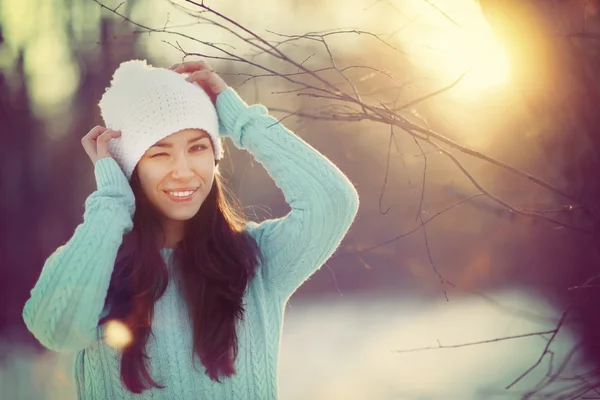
(449, 38)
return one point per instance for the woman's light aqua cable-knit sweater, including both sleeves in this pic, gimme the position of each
(68, 299)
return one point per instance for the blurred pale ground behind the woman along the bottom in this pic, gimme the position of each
(346, 347)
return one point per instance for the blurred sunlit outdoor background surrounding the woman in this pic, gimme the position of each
(525, 286)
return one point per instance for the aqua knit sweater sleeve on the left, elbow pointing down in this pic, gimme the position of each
(65, 304)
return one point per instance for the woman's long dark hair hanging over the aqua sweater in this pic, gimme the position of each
(214, 263)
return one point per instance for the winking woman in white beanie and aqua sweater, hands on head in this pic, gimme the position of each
(164, 253)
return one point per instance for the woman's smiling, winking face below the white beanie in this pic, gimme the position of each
(177, 173)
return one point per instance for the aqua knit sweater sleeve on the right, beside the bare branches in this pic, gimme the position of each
(323, 202)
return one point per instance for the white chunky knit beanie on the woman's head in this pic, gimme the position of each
(148, 104)
